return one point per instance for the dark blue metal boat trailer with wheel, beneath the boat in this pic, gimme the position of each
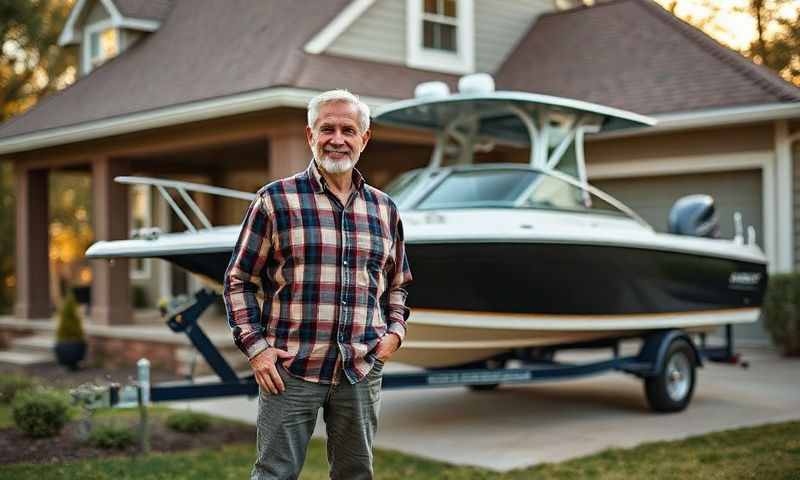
(666, 362)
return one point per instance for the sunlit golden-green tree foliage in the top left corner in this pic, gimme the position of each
(32, 64)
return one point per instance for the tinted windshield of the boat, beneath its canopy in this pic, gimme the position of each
(515, 188)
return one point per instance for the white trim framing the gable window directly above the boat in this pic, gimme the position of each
(461, 62)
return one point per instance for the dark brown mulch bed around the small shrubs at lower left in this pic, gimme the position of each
(15, 447)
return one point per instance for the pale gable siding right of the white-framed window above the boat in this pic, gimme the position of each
(499, 26)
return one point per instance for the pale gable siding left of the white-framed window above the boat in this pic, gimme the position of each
(379, 34)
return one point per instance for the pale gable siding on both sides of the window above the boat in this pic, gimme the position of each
(380, 33)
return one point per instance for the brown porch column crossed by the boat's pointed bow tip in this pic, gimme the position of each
(111, 284)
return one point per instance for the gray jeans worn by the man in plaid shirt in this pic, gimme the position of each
(286, 422)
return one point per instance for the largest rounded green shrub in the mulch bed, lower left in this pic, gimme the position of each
(41, 412)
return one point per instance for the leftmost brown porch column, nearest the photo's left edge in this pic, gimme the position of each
(33, 267)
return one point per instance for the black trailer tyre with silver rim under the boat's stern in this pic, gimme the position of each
(672, 388)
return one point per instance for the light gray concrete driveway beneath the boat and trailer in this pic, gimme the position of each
(519, 426)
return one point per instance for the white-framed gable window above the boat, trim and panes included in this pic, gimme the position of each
(440, 35)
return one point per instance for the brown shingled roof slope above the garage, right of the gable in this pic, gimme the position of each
(634, 55)
